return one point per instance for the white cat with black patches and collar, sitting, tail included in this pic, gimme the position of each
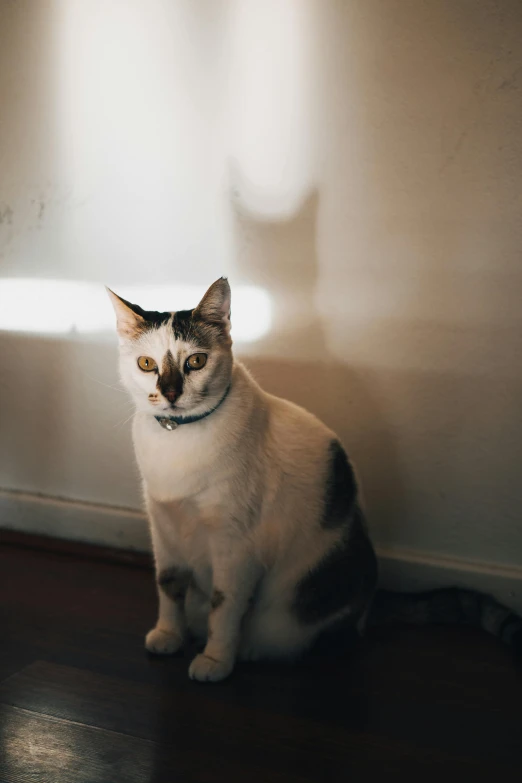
(256, 516)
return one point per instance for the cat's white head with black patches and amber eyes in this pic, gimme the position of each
(176, 363)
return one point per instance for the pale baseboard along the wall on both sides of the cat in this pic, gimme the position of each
(121, 528)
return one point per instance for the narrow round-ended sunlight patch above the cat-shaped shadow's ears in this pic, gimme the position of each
(271, 78)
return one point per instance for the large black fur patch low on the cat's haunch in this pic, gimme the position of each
(344, 579)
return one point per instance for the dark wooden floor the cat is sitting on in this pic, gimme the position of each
(81, 701)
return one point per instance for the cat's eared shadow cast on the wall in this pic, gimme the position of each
(293, 360)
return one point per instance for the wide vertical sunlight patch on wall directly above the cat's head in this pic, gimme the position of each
(134, 89)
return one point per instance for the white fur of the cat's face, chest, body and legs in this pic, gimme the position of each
(237, 498)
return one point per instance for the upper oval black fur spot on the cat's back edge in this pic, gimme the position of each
(340, 490)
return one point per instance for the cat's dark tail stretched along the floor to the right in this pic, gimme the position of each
(448, 606)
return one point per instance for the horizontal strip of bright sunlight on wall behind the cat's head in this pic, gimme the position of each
(65, 307)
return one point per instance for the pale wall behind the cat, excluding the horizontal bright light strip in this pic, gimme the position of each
(361, 162)
